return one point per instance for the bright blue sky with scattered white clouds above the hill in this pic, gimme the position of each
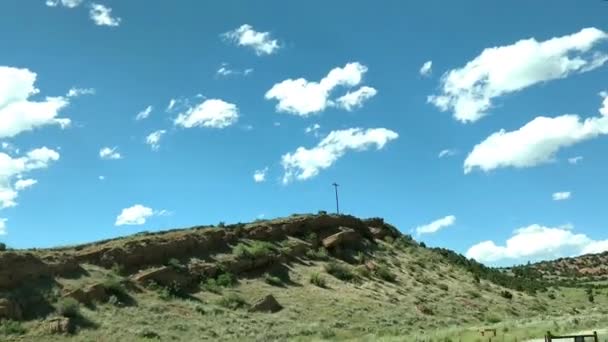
(248, 81)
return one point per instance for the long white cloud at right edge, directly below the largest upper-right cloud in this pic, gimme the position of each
(535, 143)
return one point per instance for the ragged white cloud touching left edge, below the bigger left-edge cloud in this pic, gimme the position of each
(12, 169)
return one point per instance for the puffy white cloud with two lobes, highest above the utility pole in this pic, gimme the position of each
(303, 98)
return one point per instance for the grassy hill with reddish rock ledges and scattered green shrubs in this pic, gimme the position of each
(304, 277)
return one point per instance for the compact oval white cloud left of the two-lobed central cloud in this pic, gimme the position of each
(212, 113)
